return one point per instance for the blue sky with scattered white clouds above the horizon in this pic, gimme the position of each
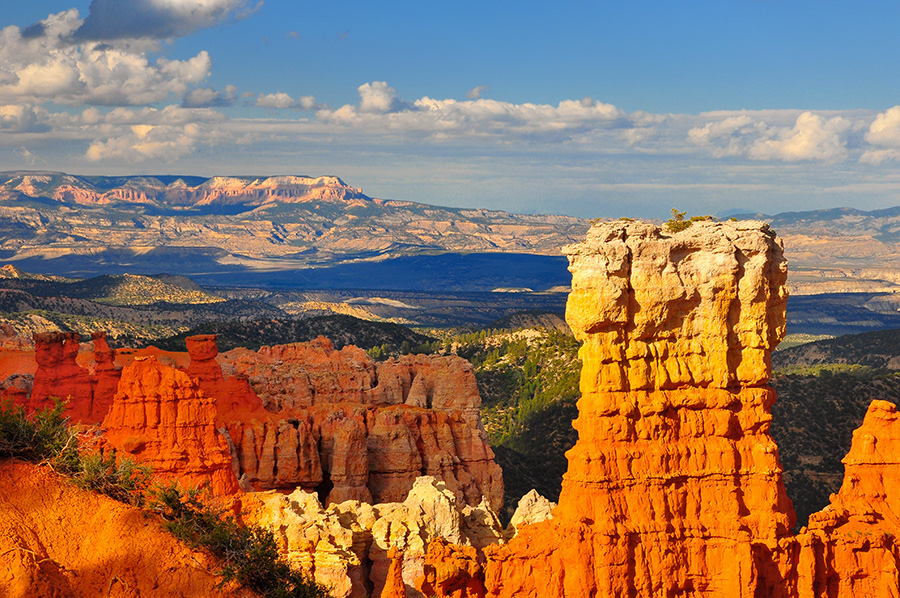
(584, 108)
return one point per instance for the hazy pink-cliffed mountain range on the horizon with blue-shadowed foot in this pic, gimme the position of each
(319, 232)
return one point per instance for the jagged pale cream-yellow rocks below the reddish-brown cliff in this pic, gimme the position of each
(358, 549)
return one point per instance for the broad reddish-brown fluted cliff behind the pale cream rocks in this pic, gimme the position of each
(338, 423)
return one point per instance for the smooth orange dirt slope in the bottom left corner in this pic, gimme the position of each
(57, 540)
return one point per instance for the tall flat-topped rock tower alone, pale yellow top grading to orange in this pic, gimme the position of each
(675, 472)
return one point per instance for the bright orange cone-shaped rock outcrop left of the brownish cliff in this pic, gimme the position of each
(160, 417)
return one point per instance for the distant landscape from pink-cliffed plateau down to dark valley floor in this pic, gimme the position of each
(296, 246)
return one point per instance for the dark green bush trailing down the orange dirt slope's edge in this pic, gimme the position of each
(250, 553)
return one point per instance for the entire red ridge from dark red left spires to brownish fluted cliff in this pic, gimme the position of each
(331, 422)
